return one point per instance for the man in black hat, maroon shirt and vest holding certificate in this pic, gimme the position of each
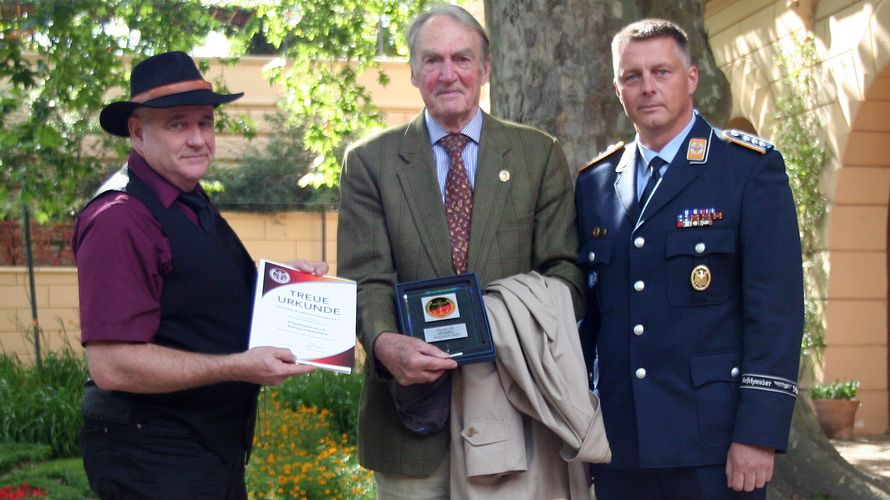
(165, 302)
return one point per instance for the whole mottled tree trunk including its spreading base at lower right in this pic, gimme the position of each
(552, 68)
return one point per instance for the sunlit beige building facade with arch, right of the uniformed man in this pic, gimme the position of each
(853, 42)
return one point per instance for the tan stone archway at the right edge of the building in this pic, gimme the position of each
(858, 333)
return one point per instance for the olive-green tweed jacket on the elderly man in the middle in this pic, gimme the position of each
(392, 228)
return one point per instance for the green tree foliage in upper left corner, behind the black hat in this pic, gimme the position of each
(60, 59)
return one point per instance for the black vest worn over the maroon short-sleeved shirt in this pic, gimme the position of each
(206, 303)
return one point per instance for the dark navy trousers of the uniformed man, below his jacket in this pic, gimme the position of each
(685, 483)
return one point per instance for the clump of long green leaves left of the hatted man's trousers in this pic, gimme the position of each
(42, 404)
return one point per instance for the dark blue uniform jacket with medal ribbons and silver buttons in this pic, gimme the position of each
(695, 309)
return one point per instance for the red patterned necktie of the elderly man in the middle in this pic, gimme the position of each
(458, 201)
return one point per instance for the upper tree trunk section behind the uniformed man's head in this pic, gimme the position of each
(552, 67)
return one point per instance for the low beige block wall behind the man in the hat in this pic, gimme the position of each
(281, 237)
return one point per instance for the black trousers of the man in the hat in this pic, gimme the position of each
(155, 459)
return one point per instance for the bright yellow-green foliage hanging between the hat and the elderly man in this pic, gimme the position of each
(324, 46)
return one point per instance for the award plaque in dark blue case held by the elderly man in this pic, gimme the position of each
(448, 313)
